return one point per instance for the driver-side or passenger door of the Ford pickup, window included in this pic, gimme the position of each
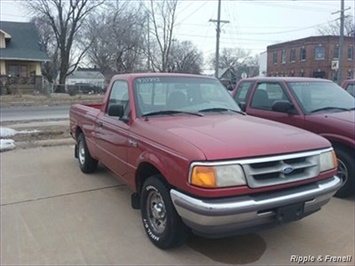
(112, 132)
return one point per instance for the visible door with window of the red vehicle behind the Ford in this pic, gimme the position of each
(262, 99)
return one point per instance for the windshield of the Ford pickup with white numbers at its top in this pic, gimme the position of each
(181, 95)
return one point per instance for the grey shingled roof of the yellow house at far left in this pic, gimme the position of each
(22, 42)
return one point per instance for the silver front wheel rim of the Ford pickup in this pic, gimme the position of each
(156, 212)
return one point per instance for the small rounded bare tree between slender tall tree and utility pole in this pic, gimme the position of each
(185, 58)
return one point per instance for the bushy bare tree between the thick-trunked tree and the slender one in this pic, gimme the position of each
(117, 37)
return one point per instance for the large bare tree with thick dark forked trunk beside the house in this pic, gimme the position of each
(65, 18)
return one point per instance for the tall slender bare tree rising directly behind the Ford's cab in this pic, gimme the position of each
(163, 17)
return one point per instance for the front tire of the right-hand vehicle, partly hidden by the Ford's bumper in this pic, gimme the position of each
(345, 172)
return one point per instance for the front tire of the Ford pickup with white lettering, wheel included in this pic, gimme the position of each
(163, 225)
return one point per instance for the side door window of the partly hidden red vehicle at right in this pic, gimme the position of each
(266, 94)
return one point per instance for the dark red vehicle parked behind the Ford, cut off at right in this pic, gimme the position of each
(317, 105)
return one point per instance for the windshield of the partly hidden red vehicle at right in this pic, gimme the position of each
(321, 97)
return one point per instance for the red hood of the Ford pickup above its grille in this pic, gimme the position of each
(233, 136)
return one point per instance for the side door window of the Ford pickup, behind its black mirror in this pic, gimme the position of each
(119, 95)
